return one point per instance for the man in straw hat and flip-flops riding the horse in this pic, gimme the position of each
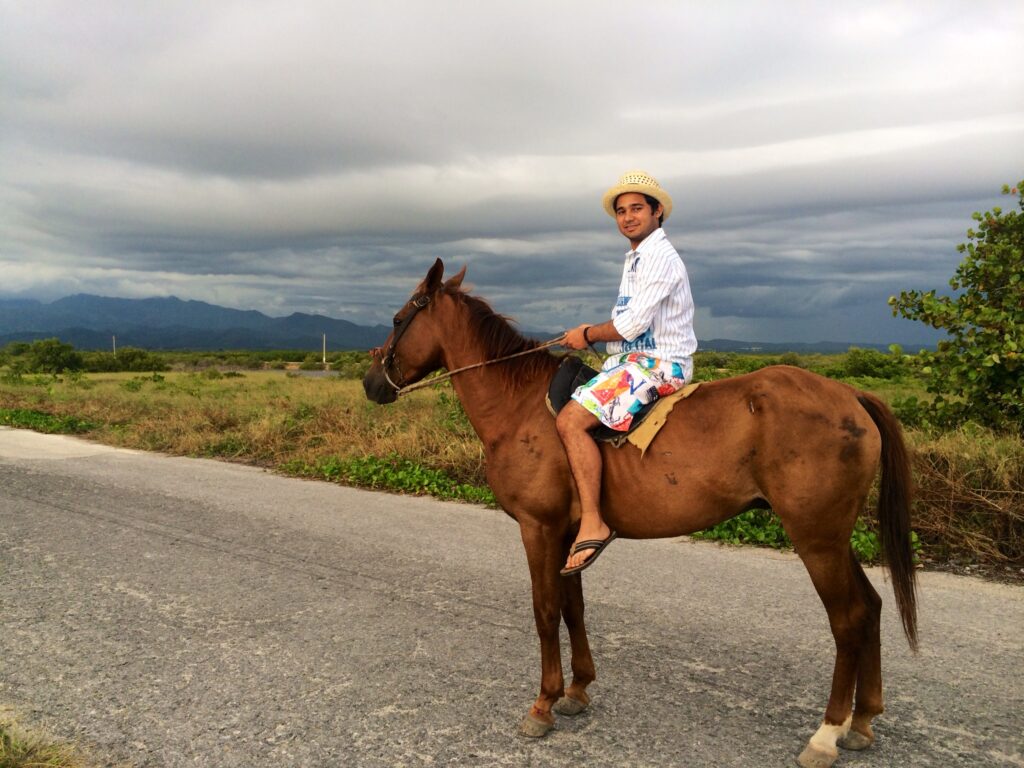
(651, 348)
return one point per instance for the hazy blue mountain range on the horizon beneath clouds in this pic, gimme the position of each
(90, 323)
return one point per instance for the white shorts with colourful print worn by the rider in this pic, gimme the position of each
(627, 383)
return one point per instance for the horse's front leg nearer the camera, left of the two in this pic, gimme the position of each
(544, 552)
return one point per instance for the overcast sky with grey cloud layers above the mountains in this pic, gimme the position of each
(317, 157)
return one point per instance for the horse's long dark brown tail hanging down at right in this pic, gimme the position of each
(894, 514)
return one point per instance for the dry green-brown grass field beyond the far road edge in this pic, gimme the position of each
(970, 505)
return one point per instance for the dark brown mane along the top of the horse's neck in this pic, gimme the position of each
(499, 338)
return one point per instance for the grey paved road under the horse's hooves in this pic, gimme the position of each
(188, 613)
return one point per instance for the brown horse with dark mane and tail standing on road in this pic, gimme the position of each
(806, 446)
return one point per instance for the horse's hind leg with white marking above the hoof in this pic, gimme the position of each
(832, 571)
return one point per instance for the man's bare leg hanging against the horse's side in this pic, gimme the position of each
(575, 423)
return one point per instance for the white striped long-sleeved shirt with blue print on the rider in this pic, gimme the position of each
(655, 310)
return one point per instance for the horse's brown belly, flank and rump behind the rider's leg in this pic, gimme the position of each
(778, 437)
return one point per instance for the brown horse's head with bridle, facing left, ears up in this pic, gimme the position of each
(413, 350)
